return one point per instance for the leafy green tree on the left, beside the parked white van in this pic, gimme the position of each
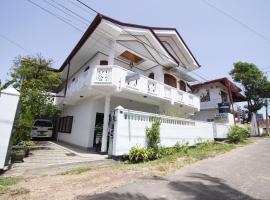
(33, 77)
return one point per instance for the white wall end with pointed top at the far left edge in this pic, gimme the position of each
(8, 105)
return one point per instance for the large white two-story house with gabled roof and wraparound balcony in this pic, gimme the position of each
(115, 64)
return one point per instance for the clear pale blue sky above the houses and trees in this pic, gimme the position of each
(216, 40)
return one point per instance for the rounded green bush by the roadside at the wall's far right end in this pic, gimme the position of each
(237, 134)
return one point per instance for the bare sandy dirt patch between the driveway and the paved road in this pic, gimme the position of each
(73, 186)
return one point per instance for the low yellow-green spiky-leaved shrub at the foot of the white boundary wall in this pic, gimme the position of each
(139, 154)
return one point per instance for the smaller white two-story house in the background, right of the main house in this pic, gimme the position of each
(217, 99)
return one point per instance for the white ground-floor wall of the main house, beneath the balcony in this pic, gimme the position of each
(84, 117)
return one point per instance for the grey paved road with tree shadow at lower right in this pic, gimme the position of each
(243, 173)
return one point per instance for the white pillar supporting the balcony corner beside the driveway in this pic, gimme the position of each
(105, 123)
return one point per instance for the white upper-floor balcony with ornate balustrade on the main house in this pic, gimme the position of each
(113, 78)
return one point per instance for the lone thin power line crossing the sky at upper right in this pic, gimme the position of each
(237, 21)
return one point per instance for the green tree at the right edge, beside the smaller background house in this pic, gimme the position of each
(255, 83)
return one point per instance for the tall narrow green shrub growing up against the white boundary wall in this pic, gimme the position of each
(153, 135)
